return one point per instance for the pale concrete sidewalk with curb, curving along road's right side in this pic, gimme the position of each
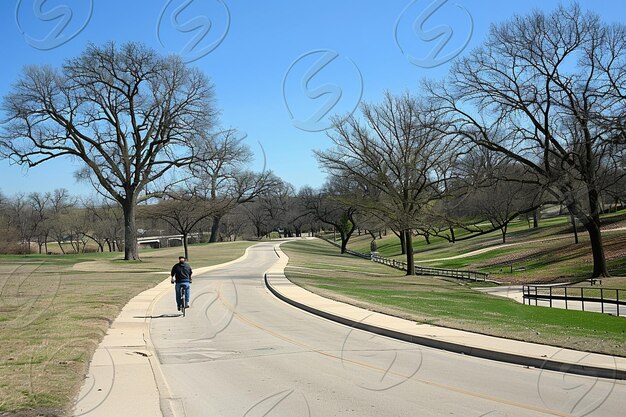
(473, 344)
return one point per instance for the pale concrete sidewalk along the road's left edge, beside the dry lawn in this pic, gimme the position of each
(124, 377)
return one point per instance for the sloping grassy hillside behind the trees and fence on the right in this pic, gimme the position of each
(531, 255)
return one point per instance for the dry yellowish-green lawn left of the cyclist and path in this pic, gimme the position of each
(54, 310)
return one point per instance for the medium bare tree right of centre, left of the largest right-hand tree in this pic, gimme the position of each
(395, 153)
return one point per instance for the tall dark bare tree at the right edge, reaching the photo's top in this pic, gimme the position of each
(546, 91)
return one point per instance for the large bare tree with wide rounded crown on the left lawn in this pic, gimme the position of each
(126, 112)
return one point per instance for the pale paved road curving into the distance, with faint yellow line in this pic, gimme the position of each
(242, 352)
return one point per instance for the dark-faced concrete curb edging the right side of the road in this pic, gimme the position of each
(540, 363)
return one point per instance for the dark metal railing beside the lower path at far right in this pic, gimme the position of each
(575, 295)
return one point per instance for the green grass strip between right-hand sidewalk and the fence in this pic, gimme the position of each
(318, 267)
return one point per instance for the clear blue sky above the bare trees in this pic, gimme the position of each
(260, 55)
